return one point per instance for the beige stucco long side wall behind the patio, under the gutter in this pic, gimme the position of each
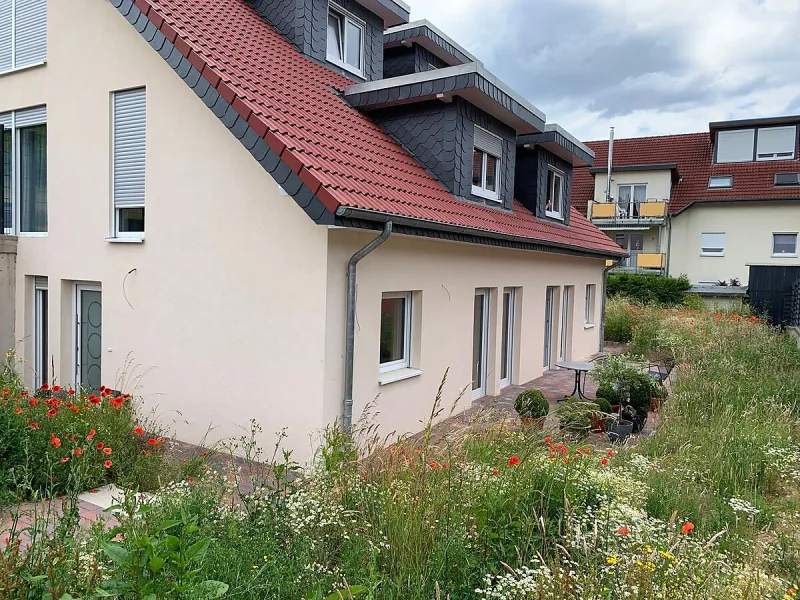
(444, 277)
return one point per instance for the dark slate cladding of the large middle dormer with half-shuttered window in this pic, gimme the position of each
(440, 135)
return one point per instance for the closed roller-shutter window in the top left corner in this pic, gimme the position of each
(23, 34)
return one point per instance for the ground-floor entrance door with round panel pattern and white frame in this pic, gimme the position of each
(88, 336)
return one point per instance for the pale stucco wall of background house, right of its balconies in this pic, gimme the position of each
(748, 232)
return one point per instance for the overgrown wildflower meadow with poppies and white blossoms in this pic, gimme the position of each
(707, 507)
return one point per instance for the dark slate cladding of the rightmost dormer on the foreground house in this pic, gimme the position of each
(531, 181)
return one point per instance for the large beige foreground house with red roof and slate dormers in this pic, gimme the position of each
(189, 179)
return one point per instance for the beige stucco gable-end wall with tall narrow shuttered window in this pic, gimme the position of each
(222, 308)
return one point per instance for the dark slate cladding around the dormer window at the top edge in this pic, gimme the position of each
(305, 24)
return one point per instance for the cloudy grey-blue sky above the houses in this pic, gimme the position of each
(647, 67)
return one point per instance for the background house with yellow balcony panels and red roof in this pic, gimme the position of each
(704, 204)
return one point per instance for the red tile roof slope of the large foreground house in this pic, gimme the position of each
(340, 153)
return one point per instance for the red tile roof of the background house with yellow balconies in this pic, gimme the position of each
(693, 153)
